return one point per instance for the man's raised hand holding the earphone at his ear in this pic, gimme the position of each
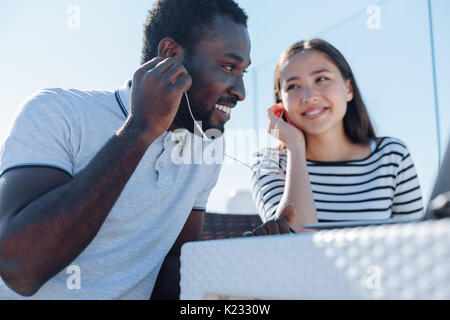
(157, 89)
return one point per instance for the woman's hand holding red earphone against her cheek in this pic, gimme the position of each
(284, 131)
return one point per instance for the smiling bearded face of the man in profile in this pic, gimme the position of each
(216, 64)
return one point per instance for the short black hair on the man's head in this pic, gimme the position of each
(185, 21)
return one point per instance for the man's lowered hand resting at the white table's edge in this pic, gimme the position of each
(276, 226)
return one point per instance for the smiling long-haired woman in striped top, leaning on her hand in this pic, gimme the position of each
(330, 165)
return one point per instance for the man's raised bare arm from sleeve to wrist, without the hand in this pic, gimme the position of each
(47, 218)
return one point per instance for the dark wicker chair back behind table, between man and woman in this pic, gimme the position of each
(225, 226)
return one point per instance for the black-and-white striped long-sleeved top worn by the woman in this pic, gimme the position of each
(381, 186)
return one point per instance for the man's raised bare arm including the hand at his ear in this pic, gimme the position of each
(45, 229)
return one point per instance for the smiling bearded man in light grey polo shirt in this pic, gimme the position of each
(86, 178)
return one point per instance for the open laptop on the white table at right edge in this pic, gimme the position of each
(441, 185)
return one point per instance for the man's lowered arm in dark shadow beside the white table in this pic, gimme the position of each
(167, 286)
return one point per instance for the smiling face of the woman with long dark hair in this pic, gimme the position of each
(314, 93)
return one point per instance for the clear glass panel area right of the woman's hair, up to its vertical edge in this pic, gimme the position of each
(392, 61)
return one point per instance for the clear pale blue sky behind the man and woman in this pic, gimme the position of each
(96, 45)
